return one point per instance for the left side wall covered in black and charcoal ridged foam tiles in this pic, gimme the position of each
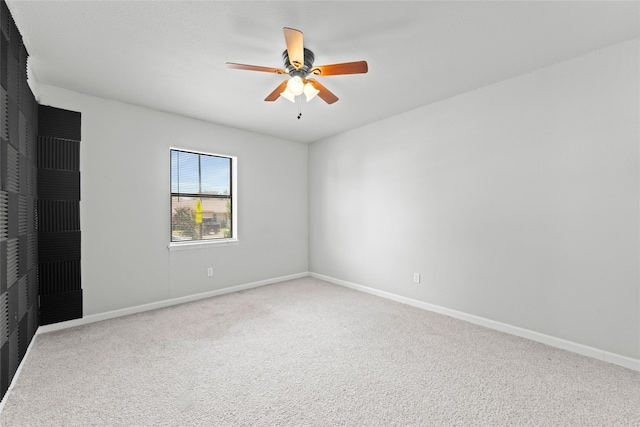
(19, 317)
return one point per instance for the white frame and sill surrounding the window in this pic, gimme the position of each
(201, 244)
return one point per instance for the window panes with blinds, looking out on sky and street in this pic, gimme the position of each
(202, 199)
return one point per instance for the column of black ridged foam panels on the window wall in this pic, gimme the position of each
(59, 215)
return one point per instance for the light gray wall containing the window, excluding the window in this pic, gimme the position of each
(125, 206)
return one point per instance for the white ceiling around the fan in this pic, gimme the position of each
(171, 55)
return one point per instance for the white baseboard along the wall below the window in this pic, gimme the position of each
(161, 304)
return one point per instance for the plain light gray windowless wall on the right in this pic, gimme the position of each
(516, 202)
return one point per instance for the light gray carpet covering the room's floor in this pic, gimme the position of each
(309, 353)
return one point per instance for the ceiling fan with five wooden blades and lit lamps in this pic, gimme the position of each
(298, 64)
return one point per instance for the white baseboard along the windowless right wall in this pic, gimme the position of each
(552, 341)
